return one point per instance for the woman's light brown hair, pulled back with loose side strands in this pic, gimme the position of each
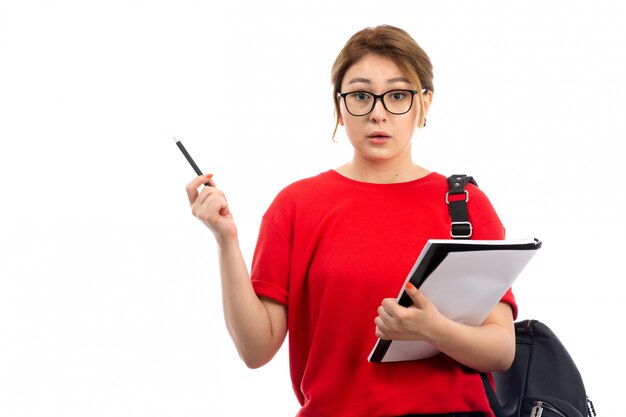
(390, 42)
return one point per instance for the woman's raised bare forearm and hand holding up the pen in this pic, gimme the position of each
(258, 326)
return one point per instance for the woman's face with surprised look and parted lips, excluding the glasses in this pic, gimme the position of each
(379, 135)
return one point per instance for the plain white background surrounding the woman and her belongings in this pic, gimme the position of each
(109, 290)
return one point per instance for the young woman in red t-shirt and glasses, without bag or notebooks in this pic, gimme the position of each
(334, 249)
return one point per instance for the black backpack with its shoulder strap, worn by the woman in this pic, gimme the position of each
(543, 380)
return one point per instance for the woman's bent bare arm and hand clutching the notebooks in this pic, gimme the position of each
(485, 348)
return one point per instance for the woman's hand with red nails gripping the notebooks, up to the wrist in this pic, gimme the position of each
(416, 322)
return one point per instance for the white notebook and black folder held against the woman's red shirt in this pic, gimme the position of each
(465, 279)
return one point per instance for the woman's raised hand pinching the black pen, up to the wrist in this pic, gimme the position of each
(211, 208)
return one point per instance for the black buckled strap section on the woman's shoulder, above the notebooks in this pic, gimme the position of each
(456, 199)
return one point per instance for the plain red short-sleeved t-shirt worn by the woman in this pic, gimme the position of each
(330, 249)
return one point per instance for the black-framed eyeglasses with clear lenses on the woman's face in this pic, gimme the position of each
(361, 103)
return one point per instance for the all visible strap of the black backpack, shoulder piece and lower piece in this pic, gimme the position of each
(461, 228)
